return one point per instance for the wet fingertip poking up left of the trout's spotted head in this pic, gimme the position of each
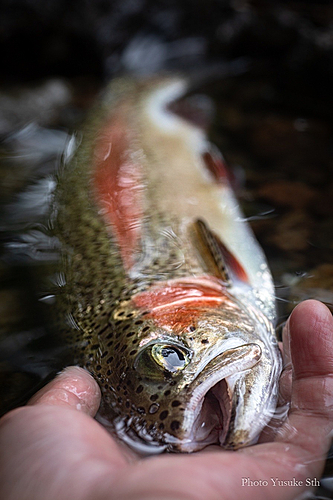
(73, 388)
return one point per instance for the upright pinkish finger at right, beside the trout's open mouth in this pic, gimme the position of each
(311, 346)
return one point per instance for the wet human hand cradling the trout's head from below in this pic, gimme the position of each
(54, 449)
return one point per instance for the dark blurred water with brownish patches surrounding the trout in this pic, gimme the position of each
(266, 71)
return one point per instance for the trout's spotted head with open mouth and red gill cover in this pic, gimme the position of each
(199, 375)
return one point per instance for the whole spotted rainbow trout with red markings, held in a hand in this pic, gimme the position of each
(163, 286)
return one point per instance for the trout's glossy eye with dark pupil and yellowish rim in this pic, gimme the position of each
(158, 360)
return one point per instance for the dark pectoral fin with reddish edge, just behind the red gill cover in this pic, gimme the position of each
(218, 259)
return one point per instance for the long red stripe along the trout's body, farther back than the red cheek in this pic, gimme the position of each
(118, 184)
